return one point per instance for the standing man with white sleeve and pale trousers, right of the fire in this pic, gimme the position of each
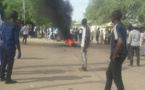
(85, 44)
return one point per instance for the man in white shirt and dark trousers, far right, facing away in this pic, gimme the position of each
(134, 41)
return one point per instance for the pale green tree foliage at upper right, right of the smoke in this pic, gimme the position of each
(99, 11)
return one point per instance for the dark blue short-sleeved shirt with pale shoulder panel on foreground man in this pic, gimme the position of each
(119, 31)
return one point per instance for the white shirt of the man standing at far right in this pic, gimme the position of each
(134, 38)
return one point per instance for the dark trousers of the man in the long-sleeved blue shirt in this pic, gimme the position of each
(7, 60)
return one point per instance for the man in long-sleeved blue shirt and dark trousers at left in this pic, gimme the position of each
(10, 37)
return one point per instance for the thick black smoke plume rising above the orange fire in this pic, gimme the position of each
(59, 12)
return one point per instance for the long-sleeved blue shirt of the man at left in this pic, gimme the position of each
(10, 36)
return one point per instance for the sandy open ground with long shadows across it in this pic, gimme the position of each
(51, 65)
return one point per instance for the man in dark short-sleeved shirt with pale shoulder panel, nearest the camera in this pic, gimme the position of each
(118, 52)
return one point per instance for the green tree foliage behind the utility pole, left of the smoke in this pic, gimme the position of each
(32, 8)
